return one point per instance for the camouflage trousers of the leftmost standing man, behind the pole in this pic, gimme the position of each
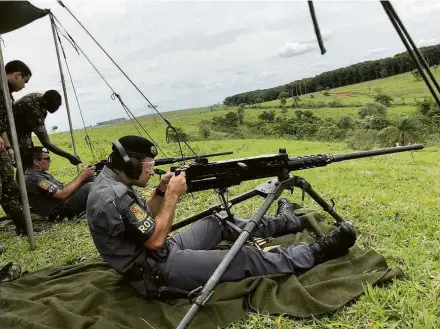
(10, 197)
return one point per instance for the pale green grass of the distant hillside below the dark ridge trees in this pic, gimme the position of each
(398, 86)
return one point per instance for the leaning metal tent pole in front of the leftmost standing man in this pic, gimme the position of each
(24, 198)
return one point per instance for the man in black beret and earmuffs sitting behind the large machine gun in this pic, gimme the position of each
(132, 235)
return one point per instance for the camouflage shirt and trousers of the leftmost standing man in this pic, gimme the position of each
(10, 197)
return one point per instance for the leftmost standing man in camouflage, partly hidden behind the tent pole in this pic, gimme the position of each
(18, 74)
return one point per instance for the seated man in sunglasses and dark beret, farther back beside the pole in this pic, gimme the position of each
(50, 198)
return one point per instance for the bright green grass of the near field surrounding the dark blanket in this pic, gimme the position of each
(392, 200)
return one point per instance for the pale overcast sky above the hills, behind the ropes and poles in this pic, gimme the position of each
(185, 54)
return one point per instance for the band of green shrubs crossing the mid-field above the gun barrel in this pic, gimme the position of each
(369, 128)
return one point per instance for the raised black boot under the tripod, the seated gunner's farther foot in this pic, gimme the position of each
(285, 220)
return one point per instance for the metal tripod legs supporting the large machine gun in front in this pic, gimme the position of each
(271, 191)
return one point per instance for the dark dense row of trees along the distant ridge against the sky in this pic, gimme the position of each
(360, 72)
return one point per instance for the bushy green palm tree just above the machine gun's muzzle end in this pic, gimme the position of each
(402, 131)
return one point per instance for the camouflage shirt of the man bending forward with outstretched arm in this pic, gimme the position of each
(28, 115)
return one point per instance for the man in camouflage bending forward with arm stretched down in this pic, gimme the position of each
(30, 114)
